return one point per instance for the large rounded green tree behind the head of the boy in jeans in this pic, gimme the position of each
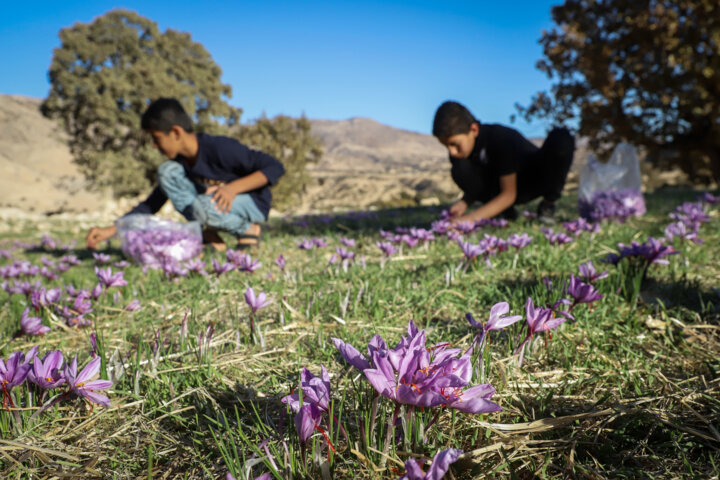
(104, 75)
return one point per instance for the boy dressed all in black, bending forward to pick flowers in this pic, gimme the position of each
(499, 167)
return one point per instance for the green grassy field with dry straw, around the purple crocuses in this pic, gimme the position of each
(627, 388)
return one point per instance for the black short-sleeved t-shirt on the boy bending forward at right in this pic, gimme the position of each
(499, 151)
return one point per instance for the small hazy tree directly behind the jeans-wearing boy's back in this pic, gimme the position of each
(290, 141)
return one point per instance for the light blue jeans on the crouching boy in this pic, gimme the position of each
(182, 193)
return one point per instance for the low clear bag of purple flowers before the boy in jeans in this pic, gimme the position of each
(155, 242)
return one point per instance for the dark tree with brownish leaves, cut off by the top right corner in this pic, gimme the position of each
(641, 71)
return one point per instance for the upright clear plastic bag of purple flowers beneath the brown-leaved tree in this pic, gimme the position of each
(612, 189)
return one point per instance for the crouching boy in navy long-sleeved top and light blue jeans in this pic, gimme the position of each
(215, 180)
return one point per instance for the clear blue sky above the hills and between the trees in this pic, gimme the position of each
(393, 61)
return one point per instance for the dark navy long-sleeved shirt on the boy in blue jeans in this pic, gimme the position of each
(222, 160)
